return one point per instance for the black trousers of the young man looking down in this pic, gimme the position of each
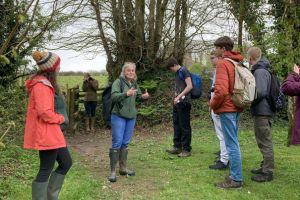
(182, 127)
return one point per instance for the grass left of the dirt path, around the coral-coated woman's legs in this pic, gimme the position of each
(19, 167)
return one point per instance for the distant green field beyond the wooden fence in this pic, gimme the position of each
(72, 81)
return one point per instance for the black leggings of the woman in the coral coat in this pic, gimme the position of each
(47, 161)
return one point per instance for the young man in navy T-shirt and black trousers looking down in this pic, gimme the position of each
(181, 109)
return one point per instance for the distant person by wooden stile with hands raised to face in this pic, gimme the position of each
(90, 86)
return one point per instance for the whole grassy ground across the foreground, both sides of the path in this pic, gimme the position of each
(162, 176)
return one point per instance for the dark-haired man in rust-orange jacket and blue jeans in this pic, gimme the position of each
(223, 105)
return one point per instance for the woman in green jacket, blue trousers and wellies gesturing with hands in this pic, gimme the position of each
(124, 93)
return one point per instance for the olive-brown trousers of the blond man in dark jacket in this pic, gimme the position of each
(263, 136)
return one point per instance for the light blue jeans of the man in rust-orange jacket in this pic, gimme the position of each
(229, 122)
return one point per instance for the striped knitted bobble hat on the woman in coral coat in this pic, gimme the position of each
(47, 61)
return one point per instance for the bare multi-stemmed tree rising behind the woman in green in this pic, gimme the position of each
(143, 31)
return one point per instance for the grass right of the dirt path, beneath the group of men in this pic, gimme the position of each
(190, 178)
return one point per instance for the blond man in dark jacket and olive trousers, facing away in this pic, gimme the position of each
(262, 113)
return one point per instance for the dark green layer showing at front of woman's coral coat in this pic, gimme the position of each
(60, 107)
